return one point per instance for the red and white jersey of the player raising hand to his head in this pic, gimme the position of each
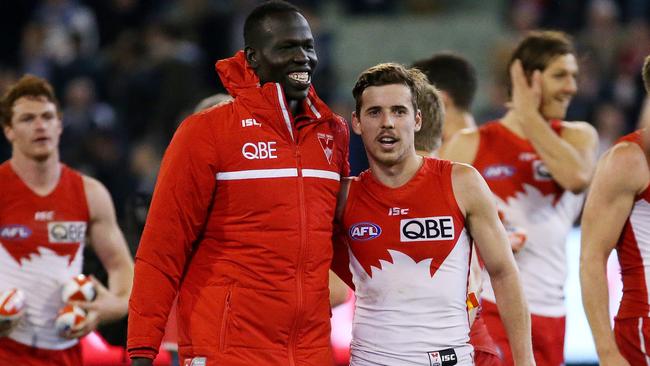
(529, 201)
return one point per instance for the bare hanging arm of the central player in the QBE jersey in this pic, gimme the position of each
(476, 201)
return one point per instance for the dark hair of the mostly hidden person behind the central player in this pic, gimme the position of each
(453, 74)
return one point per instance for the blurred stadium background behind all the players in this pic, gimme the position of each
(128, 71)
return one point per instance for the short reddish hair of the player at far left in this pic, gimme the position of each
(27, 86)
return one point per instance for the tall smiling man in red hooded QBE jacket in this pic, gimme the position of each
(240, 223)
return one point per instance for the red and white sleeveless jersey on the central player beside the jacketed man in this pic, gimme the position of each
(409, 258)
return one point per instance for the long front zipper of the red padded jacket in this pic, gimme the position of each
(299, 269)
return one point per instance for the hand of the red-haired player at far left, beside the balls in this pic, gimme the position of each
(105, 308)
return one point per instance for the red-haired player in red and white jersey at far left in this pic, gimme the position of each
(47, 213)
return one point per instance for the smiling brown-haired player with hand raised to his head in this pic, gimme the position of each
(537, 166)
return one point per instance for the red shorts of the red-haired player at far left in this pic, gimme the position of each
(14, 353)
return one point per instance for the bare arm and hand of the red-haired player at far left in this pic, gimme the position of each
(110, 246)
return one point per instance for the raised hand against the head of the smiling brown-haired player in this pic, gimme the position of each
(526, 96)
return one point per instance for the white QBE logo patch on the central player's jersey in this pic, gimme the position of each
(427, 229)
